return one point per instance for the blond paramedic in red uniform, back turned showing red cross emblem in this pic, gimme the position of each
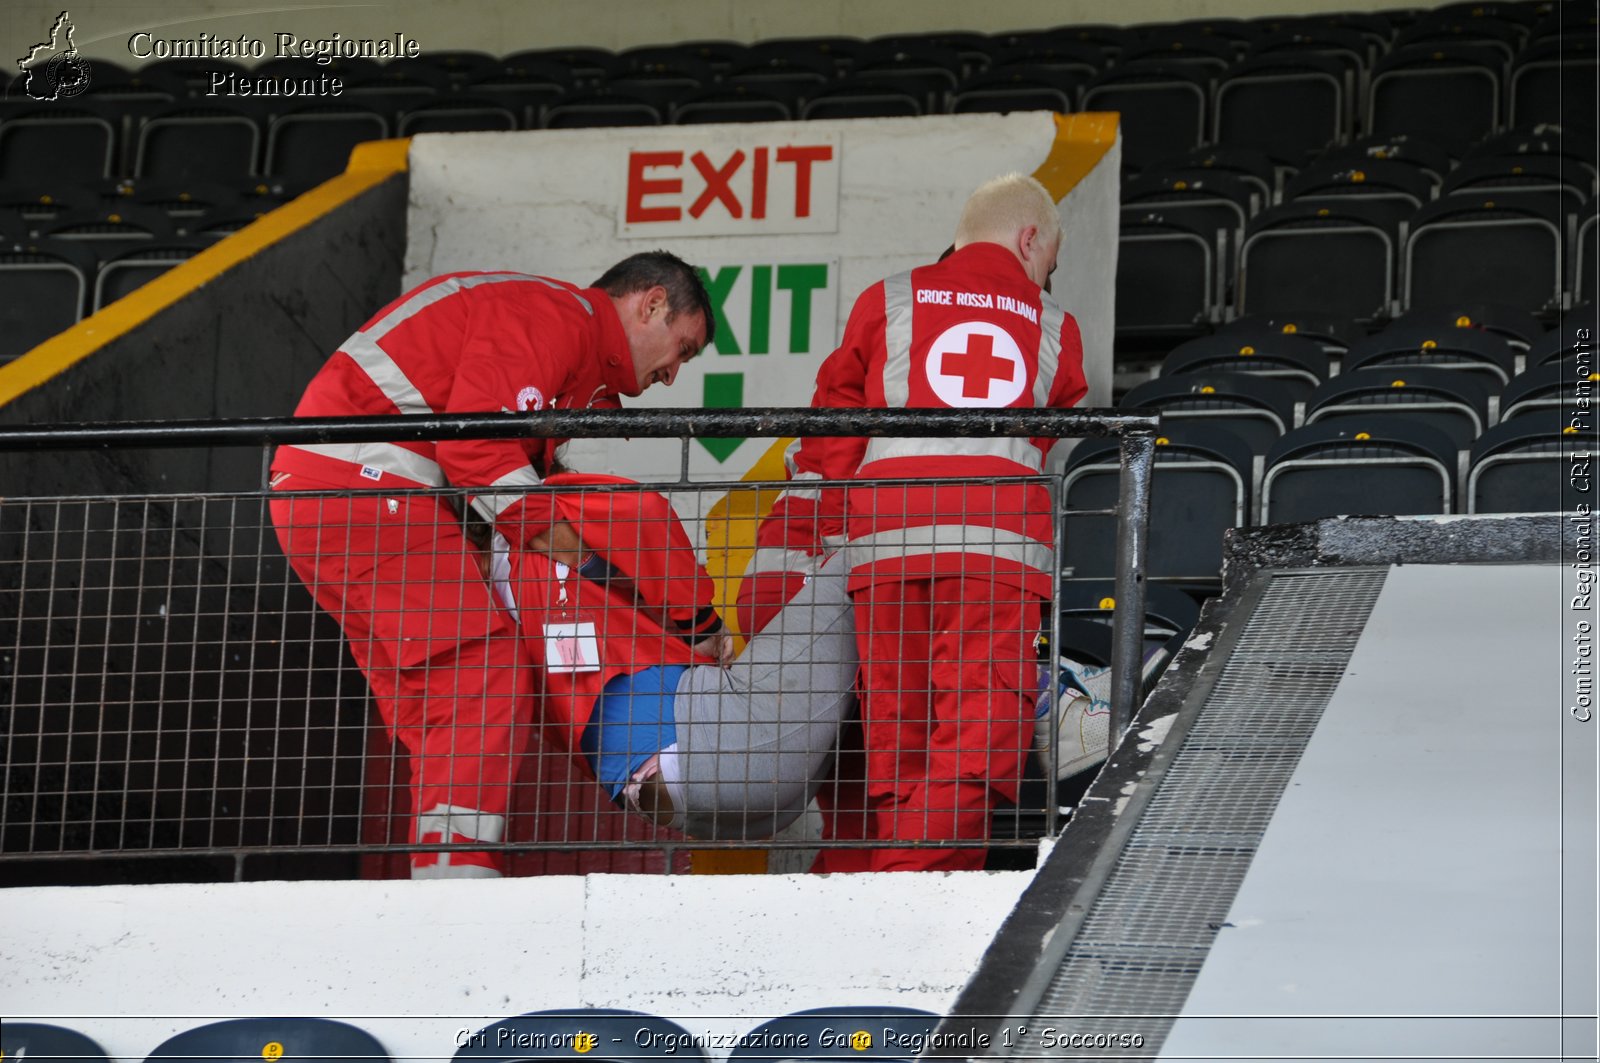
(950, 579)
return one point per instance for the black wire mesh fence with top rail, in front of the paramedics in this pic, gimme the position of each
(300, 681)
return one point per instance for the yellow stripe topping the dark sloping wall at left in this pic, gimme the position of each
(370, 164)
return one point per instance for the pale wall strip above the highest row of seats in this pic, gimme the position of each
(500, 26)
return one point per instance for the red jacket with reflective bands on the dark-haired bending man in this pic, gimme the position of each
(468, 343)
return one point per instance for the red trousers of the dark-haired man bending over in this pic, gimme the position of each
(446, 665)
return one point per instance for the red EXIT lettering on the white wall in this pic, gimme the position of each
(655, 180)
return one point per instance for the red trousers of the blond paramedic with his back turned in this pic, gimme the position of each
(948, 673)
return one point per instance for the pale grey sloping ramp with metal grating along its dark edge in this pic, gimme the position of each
(1356, 822)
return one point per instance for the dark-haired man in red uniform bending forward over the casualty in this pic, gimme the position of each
(447, 668)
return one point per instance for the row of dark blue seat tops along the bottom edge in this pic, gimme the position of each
(598, 1035)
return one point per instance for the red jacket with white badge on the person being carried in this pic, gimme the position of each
(658, 595)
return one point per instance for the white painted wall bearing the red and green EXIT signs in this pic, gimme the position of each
(886, 199)
